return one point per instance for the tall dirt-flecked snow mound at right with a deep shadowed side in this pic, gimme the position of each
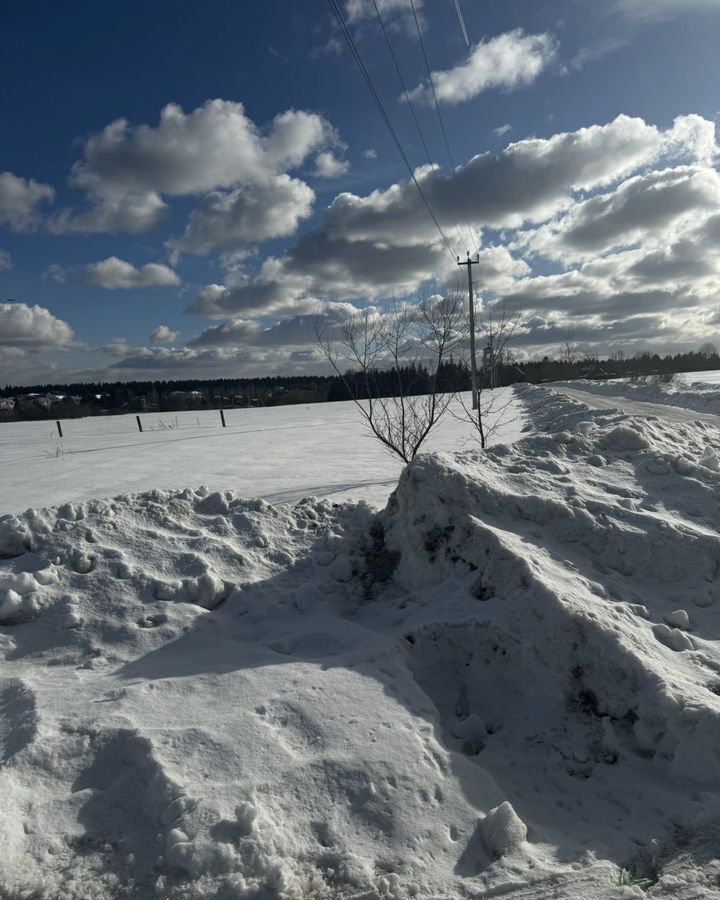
(585, 681)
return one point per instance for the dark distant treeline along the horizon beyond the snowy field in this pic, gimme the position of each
(58, 401)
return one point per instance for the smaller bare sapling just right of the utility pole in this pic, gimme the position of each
(496, 329)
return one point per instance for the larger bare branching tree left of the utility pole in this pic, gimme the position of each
(409, 343)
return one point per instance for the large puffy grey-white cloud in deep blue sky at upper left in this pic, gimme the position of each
(128, 170)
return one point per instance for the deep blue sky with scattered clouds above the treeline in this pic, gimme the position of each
(268, 193)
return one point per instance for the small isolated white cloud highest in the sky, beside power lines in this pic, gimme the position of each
(510, 61)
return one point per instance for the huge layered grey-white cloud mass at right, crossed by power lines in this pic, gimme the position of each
(382, 244)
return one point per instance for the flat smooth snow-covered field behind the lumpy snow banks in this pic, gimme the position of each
(281, 453)
